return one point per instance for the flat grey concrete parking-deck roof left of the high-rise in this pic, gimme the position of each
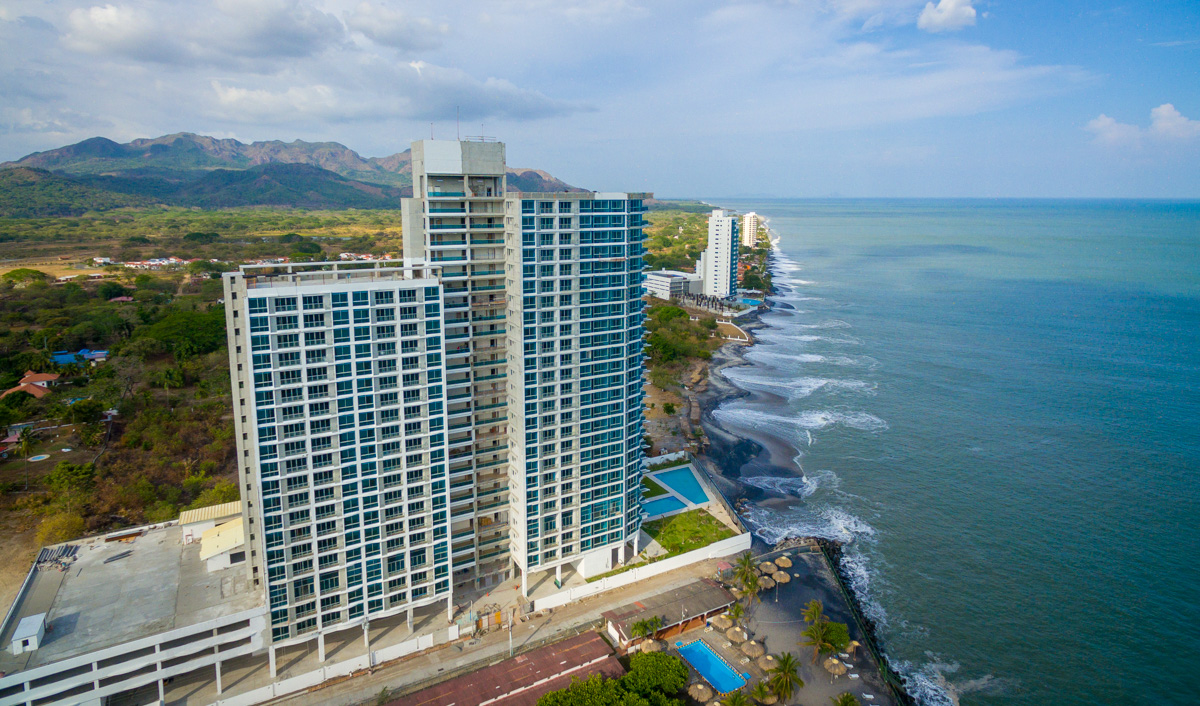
(159, 585)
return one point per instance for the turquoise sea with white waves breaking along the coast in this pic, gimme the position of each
(999, 404)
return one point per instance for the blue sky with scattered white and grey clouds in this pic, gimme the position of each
(685, 99)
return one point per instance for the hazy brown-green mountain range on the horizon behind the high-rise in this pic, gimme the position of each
(207, 172)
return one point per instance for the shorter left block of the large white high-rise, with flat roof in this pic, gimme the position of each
(340, 387)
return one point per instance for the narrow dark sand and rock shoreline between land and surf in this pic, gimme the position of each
(728, 457)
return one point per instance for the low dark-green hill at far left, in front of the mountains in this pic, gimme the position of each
(35, 194)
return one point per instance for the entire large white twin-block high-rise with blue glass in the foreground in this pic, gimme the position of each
(415, 430)
